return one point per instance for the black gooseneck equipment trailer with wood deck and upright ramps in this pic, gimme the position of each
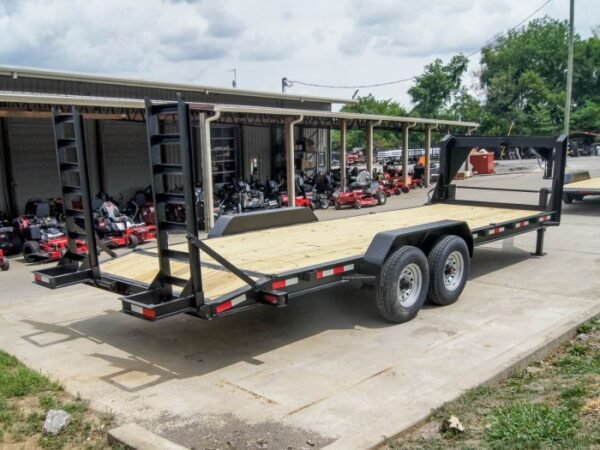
(267, 258)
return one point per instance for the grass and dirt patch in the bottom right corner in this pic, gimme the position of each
(553, 404)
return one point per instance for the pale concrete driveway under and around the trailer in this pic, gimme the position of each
(326, 370)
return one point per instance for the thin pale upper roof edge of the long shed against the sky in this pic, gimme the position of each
(13, 71)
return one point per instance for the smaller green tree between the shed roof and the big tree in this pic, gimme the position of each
(437, 87)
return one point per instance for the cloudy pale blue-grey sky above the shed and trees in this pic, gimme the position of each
(334, 42)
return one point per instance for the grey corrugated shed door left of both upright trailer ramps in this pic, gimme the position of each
(34, 159)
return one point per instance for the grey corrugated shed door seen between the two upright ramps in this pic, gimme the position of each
(126, 164)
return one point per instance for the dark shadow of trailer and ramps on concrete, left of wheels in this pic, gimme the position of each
(151, 353)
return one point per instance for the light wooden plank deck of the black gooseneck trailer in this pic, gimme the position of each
(278, 250)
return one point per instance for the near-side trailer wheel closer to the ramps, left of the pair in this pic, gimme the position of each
(403, 284)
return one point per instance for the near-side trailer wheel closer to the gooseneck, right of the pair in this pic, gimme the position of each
(449, 265)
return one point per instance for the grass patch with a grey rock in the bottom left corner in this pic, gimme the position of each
(25, 398)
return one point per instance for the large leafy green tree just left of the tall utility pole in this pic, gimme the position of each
(524, 78)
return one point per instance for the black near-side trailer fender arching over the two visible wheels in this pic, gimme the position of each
(421, 236)
